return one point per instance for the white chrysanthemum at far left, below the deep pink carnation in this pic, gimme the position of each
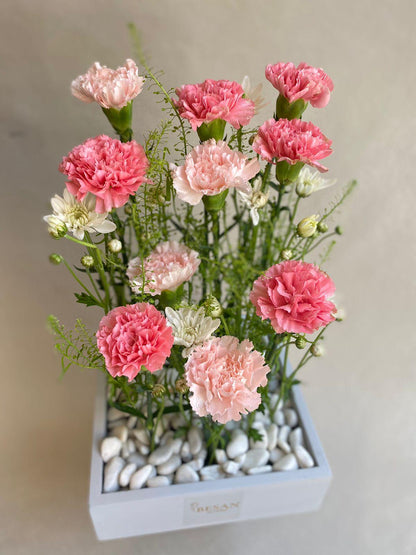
(79, 217)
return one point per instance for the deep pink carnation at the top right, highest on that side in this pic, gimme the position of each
(307, 82)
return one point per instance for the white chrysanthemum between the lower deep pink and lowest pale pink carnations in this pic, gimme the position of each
(190, 327)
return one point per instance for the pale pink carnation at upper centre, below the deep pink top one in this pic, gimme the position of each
(210, 169)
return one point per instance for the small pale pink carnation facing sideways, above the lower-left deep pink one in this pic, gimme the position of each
(165, 269)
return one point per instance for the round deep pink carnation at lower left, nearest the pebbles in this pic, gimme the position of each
(130, 337)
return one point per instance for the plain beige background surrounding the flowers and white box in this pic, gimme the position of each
(361, 395)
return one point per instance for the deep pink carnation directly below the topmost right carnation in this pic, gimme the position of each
(293, 141)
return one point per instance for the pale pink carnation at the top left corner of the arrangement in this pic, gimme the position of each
(110, 88)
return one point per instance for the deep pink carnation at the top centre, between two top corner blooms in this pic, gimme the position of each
(211, 100)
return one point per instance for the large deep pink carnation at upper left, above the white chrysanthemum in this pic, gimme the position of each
(107, 168)
